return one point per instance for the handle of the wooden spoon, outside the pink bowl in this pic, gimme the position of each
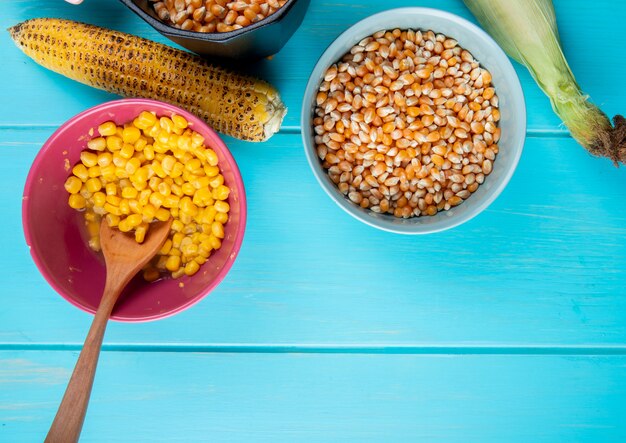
(68, 421)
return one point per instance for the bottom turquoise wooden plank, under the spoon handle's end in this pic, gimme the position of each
(153, 397)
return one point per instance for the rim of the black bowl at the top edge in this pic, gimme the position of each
(217, 37)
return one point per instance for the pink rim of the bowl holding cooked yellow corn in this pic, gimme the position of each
(150, 105)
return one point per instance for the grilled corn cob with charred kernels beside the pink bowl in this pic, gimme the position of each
(123, 64)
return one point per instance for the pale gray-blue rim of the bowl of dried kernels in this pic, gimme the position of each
(367, 217)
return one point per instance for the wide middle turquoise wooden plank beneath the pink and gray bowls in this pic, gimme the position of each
(543, 265)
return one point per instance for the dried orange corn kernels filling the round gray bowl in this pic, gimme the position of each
(407, 123)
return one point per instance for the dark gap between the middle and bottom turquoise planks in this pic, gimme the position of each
(538, 350)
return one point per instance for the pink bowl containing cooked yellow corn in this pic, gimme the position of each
(53, 229)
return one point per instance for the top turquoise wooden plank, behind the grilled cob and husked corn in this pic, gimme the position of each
(33, 88)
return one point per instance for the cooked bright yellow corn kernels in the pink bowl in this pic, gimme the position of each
(147, 170)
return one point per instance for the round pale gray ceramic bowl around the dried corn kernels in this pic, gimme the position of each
(511, 102)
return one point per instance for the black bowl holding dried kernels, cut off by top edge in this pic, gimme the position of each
(258, 40)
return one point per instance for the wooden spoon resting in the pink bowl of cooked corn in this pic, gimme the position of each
(124, 257)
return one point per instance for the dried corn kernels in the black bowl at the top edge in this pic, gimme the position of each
(214, 15)
